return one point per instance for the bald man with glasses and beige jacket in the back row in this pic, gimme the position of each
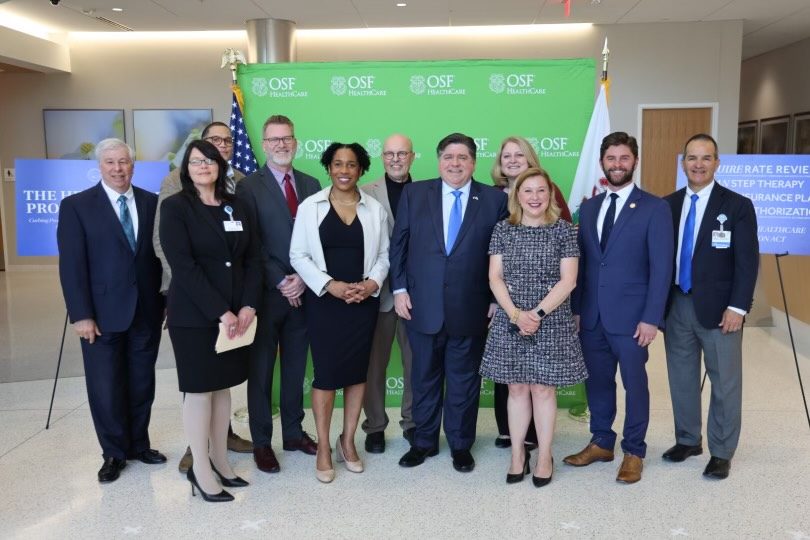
(397, 159)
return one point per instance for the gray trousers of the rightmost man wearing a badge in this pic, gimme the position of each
(684, 339)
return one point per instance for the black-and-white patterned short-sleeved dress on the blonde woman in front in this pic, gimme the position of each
(531, 267)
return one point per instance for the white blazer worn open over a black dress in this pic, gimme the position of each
(306, 251)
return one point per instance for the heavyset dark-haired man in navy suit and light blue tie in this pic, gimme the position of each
(439, 276)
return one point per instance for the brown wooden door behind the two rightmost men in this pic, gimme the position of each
(663, 133)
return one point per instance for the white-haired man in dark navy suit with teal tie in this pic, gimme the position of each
(111, 282)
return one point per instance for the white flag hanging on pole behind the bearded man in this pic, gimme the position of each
(590, 179)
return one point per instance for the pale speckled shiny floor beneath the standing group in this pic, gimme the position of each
(49, 487)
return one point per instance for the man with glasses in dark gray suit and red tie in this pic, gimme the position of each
(272, 194)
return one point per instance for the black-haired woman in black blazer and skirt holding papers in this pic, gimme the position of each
(213, 251)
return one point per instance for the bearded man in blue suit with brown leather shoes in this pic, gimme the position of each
(625, 240)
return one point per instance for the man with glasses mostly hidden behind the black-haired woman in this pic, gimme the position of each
(218, 134)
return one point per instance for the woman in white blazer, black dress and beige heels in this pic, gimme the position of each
(339, 247)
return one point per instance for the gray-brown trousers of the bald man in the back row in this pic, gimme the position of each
(388, 325)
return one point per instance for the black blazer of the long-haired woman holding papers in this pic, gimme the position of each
(210, 276)
